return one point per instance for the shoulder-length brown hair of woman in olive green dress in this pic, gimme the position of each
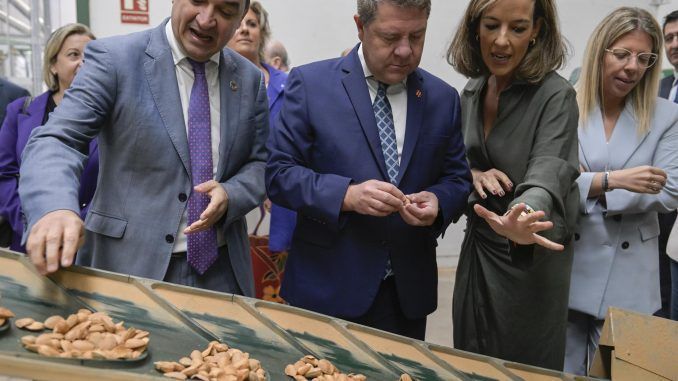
(548, 52)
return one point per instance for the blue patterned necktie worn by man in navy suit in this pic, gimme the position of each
(389, 145)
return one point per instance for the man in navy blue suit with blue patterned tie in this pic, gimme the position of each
(368, 150)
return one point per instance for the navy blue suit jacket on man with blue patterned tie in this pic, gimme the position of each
(325, 139)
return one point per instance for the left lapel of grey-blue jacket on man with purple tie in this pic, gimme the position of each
(162, 80)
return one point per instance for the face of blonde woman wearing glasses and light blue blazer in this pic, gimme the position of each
(622, 71)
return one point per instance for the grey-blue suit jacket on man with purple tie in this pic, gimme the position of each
(126, 93)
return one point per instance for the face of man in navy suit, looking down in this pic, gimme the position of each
(393, 41)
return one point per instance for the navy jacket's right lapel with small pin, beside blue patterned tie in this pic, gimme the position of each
(415, 117)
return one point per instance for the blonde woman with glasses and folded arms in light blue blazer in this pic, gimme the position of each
(628, 151)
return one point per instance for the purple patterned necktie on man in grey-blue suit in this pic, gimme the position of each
(202, 246)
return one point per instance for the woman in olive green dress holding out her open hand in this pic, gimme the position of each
(519, 122)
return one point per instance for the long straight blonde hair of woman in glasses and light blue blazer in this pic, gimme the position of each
(617, 24)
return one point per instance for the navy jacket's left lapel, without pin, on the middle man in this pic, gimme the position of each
(356, 87)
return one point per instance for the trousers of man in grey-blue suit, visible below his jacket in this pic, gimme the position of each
(219, 277)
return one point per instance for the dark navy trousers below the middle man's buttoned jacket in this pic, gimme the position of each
(386, 314)
